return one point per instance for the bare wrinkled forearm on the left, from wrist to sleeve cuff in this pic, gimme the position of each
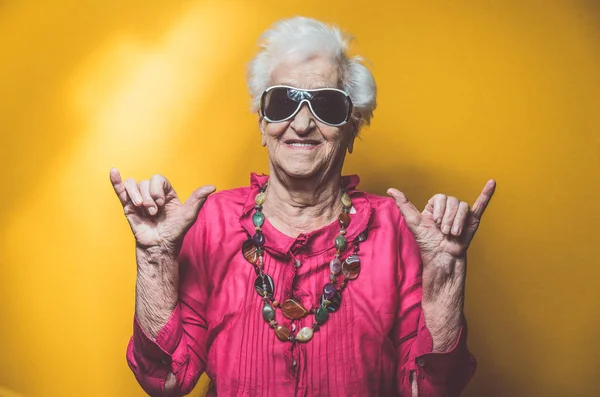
(157, 288)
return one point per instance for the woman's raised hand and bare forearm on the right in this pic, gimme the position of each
(444, 231)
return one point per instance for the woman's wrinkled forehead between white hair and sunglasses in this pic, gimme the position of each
(316, 71)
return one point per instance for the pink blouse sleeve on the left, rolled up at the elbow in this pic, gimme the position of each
(180, 346)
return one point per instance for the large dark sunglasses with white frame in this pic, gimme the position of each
(329, 105)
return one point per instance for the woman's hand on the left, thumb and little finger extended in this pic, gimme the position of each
(157, 217)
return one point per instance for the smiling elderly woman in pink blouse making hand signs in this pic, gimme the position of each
(300, 284)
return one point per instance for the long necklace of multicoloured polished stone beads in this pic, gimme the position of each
(331, 299)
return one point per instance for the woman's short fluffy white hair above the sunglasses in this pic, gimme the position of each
(303, 38)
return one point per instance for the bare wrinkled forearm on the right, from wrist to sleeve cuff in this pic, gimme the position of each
(443, 310)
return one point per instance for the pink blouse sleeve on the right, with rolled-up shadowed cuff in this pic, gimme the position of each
(437, 374)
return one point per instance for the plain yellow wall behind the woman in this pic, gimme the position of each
(468, 90)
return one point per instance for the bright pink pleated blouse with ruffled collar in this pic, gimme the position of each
(371, 346)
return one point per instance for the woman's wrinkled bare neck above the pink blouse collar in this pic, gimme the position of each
(300, 205)
